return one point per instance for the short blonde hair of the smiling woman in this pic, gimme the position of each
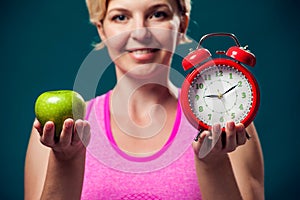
(97, 12)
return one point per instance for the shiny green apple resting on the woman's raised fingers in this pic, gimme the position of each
(57, 106)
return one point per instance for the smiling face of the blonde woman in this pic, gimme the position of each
(141, 35)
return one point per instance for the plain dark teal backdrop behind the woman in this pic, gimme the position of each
(43, 43)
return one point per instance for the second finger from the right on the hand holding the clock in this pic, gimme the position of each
(231, 139)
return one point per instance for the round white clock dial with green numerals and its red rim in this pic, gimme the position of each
(220, 92)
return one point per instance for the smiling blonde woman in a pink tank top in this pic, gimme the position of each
(137, 150)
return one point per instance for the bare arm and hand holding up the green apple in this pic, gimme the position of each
(56, 171)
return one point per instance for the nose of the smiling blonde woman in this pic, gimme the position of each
(140, 32)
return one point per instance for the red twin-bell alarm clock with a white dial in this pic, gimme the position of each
(219, 89)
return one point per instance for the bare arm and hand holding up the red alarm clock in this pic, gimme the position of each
(225, 175)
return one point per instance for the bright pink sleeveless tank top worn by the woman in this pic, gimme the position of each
(112, 174)
